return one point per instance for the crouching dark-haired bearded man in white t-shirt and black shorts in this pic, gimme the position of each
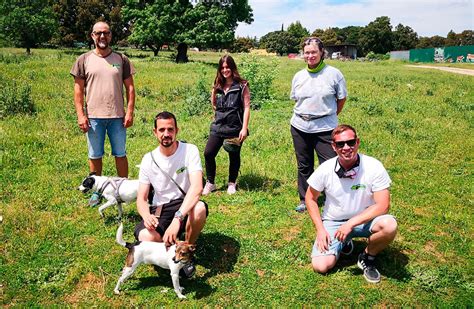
(174, 171)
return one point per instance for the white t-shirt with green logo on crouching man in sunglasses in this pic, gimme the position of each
(346, 197)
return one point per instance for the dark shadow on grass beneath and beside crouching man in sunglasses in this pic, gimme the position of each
(391, 262)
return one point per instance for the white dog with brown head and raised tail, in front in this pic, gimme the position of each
(156, 253)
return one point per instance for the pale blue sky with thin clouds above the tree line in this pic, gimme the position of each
(427, 18)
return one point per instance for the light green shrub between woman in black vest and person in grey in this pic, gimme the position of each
(260, 74)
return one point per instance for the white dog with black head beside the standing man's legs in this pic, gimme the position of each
(115, 190)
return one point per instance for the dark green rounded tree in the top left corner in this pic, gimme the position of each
(27, 23)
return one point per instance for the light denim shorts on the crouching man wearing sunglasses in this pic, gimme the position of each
(362, 230)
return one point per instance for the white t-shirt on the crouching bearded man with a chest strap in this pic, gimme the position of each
(179, 165)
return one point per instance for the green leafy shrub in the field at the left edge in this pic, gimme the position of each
(16, 100)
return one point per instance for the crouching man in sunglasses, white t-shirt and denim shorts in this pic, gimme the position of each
(357, 204)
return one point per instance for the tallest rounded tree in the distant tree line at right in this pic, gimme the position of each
(376, 36)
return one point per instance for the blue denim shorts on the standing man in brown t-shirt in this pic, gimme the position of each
(116, 132)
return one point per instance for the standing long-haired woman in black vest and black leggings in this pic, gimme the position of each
(230, 100)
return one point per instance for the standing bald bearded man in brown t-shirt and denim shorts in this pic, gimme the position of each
(99, 77)
